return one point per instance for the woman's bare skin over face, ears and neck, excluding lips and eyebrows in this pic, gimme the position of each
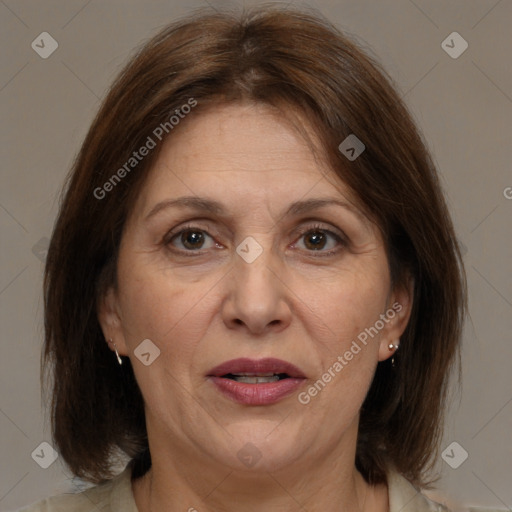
(289, 303)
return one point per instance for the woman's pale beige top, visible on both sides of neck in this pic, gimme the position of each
(116, 496)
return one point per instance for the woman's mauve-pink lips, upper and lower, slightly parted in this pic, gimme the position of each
(256, 394)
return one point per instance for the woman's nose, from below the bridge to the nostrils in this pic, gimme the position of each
(257, 299)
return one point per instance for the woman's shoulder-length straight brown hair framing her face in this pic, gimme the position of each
(279, 57)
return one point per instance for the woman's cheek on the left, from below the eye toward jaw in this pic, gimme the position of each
(168, 313)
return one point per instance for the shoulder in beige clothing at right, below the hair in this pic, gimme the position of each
(404, 497)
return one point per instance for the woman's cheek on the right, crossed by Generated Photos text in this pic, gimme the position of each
(348, 307)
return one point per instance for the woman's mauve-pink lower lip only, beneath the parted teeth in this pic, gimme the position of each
(257, 394)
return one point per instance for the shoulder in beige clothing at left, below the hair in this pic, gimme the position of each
(112, 496)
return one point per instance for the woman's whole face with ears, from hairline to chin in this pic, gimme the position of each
(271, 258)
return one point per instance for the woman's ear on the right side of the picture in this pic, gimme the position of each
(397, 316)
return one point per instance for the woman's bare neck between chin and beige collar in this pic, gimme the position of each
(180, 479)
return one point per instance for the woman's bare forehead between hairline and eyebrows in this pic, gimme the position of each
(245, 154)
